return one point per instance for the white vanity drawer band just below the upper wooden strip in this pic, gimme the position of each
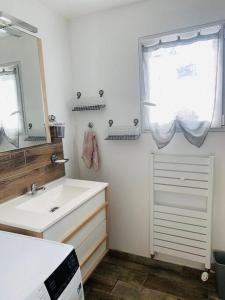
(85, 231)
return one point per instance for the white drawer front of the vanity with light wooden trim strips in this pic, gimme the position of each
(85, 228)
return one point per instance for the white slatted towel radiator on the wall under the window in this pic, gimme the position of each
(181, 207)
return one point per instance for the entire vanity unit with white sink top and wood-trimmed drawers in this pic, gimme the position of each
(69, 211)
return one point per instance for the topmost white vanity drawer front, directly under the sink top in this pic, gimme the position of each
(62, 228)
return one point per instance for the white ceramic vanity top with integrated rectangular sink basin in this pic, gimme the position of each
(38, 212)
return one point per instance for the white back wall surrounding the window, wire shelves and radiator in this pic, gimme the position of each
(105, 55)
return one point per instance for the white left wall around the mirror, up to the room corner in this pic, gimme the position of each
(53, 30)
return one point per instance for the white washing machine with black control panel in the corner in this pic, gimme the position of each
(38, 269)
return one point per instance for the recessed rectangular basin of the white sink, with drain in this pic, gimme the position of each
(52, 200)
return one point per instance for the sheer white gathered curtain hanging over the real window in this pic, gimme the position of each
(183, 85)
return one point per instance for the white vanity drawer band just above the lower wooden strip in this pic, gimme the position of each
(91, 242)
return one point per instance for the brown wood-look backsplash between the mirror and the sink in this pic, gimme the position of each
(20, 168)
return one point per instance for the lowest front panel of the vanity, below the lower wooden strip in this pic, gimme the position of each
(89, 266)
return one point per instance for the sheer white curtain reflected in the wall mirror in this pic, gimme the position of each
(9, 111)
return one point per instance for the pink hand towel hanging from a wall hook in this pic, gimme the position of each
(90, 153)
